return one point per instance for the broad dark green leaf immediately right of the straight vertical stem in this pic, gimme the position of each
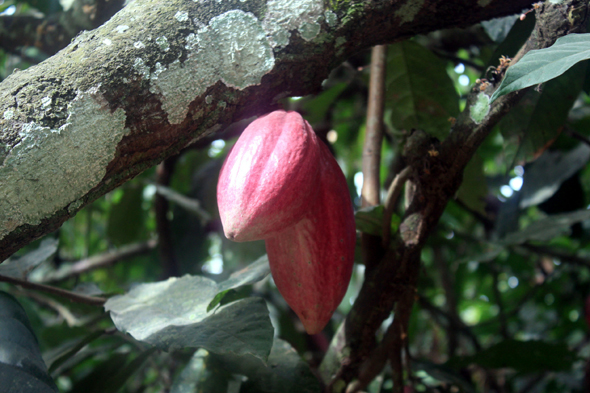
(420, 94)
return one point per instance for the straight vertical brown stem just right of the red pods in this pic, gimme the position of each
(372, 251)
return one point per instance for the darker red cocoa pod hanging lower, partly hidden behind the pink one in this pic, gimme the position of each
(311, 262)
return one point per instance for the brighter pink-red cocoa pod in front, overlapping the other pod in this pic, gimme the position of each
(269, 178)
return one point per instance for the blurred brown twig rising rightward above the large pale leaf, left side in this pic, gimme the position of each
(98, 261)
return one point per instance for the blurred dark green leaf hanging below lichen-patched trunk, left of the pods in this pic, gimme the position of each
(126, 219)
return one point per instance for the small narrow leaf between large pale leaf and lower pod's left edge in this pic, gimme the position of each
(249, 275)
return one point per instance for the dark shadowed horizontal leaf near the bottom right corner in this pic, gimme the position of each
(522, 356)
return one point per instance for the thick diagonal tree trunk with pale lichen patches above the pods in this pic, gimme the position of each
(162, 74)
